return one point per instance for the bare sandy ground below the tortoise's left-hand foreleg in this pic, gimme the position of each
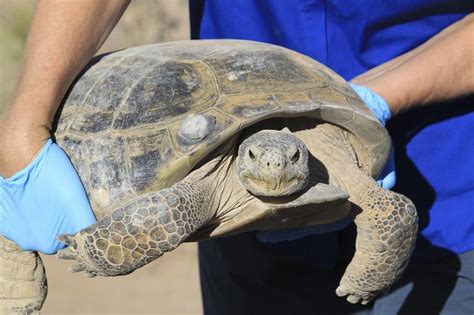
(169, 285)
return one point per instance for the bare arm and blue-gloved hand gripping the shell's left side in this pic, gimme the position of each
(41, 195)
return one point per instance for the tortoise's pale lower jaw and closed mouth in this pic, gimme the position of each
(274, 187)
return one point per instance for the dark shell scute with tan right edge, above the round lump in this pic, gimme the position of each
(167, 91)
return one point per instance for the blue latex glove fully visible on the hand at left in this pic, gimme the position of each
(43, 200)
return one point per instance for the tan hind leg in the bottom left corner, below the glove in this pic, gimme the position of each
(22, 280)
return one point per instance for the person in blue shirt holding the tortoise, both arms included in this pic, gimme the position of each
(263, 273)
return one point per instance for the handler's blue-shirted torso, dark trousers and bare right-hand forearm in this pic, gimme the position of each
(412, 54)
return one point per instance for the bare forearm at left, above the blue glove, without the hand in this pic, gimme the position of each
(64, 35)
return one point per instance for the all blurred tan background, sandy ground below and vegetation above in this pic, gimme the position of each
(169, 285)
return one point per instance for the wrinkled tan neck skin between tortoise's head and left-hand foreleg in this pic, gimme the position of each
(229, 198)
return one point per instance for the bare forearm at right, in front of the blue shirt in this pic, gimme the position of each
(440, 69)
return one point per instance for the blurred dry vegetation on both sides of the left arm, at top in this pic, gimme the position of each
(144, 22)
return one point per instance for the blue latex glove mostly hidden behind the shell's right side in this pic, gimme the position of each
(386, 179)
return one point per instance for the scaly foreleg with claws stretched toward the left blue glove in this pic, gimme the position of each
(139, 232)
